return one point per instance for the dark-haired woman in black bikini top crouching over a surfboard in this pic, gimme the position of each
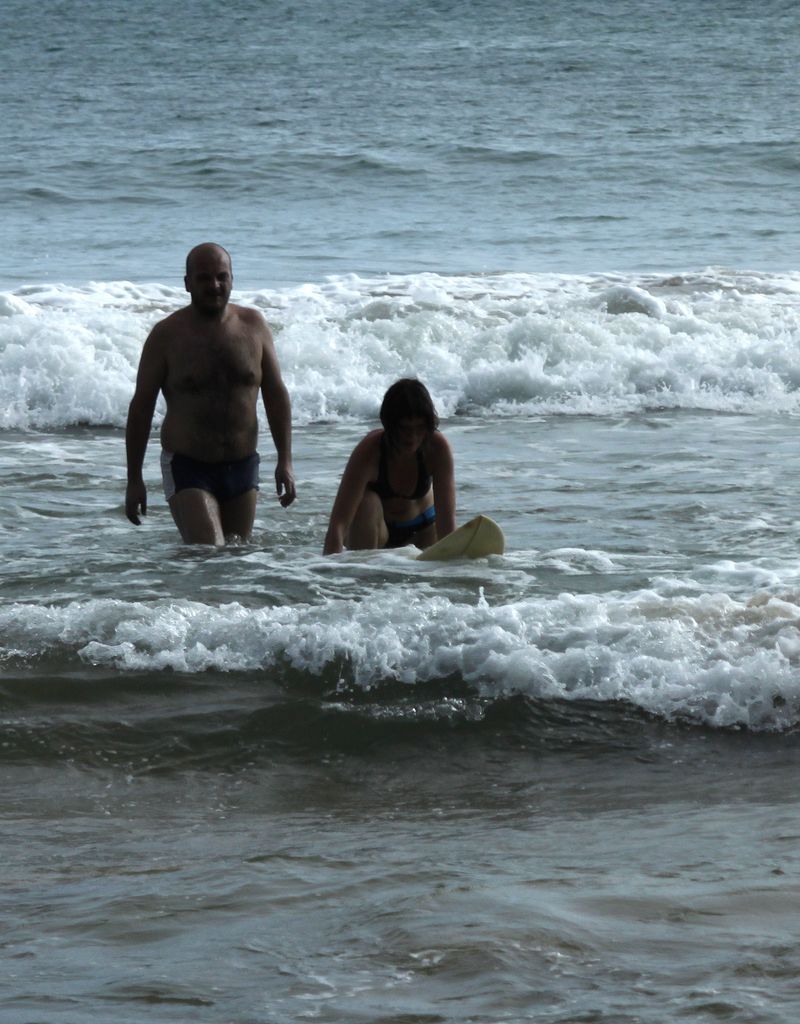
(399, 486)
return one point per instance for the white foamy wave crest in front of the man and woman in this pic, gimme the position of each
(706, 658)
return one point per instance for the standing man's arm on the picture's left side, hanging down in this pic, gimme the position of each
(150, 380)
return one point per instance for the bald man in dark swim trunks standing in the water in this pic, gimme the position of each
(210, 360)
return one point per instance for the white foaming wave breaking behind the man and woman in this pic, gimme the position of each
(498, 346)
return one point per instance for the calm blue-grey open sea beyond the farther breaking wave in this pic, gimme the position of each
(455, 137)
